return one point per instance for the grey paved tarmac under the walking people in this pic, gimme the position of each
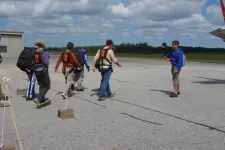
(140, 117)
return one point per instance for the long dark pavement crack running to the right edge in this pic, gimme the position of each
(200, 124)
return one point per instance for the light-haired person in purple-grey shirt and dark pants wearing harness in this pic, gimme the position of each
(41, 61)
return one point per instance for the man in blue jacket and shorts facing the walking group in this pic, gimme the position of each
(176, 58)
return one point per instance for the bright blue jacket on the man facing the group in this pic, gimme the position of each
(175, 57)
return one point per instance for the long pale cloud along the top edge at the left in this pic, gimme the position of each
(40, 8)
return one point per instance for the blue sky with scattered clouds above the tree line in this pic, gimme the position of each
(92, 22)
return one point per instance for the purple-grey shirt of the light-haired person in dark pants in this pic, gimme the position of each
(44, 60)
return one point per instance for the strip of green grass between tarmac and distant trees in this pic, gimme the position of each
(191, 57)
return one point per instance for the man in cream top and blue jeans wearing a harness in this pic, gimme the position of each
(105, 56)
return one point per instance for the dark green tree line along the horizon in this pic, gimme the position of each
(141, 48)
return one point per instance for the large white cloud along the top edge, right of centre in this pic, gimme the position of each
(157, 10)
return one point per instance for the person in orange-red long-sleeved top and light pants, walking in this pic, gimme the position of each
(69, 61)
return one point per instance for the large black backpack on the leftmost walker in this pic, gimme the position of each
(26, 58)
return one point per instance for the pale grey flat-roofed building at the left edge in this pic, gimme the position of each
(11, 43)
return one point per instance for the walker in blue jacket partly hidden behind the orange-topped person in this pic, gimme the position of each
(79, 74)
